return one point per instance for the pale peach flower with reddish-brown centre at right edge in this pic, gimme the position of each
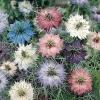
(94, 40)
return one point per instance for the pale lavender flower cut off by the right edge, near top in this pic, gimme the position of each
(95, 14)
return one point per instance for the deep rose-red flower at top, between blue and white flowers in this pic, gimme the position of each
(48, 18)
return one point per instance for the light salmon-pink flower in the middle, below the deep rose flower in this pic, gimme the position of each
(50, 45)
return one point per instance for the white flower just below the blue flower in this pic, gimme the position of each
(25, 56)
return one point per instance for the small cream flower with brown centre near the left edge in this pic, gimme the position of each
(9, 68)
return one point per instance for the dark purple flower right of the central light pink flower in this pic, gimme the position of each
(74, 52)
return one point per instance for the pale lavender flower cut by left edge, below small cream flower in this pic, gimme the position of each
(3, 81)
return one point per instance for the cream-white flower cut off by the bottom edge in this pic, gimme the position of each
(21, 91)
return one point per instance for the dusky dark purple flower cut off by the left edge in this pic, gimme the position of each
(5, 51)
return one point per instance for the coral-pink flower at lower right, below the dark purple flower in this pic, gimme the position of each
(80, 81)
